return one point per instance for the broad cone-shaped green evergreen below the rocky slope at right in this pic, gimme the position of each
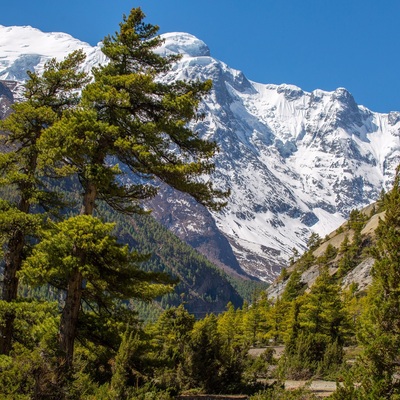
(319, 329)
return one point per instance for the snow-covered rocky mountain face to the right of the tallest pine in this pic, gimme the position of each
(296, 162)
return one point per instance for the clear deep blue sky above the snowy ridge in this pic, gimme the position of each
(313, 44)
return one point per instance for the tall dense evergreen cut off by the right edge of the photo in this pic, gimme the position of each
(380, 323)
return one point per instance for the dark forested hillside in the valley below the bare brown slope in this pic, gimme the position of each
(202, 287)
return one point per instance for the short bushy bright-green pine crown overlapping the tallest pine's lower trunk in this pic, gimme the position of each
(109, 273)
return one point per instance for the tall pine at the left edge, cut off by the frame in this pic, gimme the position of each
(46, 98)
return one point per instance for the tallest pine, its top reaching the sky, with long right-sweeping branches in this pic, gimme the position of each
(130, 127)
